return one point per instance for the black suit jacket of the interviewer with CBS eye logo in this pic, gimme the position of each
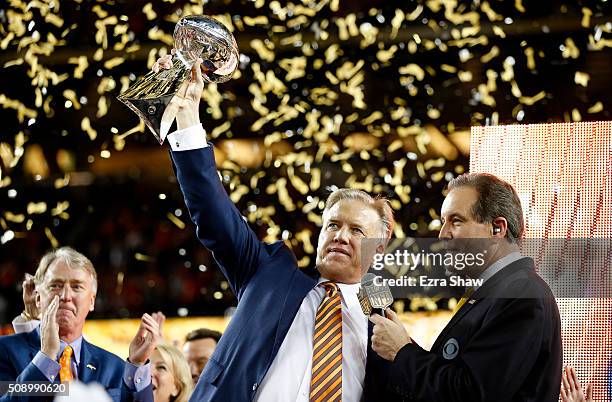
(503, 345)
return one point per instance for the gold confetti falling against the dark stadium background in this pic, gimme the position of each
(374, 96)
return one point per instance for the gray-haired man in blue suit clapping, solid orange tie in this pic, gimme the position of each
(56, 350)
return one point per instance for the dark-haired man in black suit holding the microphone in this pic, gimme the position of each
(504, 341)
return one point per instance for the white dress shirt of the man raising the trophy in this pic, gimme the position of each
(288, 378)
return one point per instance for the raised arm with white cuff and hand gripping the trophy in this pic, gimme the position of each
(220, 227)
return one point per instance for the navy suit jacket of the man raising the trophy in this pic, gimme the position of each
(264, 277)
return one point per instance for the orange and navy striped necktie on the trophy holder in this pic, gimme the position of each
(326, 380)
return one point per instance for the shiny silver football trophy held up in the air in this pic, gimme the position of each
(194, 36)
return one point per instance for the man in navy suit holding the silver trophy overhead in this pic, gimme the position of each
(266, 353)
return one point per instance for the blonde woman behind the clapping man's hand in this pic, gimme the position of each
(170, 375)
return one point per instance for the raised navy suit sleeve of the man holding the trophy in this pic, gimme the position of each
(219, 225)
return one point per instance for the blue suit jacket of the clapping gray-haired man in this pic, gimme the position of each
(17, 352)
